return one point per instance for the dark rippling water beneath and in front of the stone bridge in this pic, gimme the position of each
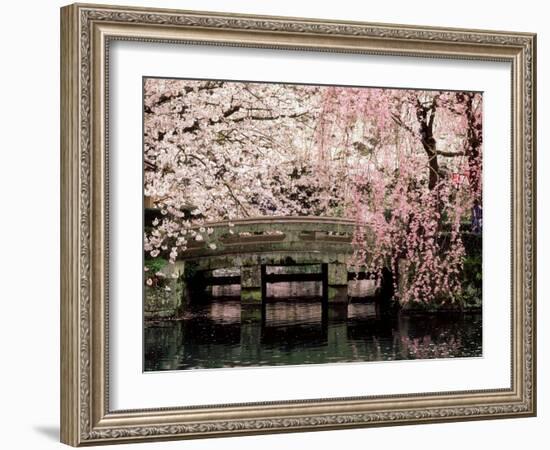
(219, 334)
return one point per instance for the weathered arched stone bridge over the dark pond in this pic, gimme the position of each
(252, 245)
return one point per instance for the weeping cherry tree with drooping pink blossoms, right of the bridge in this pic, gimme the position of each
(411, 146)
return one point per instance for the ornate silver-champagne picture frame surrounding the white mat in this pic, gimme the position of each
(86, 31)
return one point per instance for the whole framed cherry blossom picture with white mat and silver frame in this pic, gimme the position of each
(279, 224)
